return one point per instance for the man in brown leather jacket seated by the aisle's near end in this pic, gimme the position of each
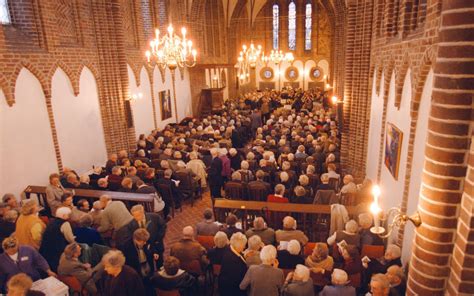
(187, 249)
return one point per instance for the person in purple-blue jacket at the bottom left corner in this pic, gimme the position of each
(18, 259)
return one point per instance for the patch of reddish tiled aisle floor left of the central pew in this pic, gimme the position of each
(189, 216)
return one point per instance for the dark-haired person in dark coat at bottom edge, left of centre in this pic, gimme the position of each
(170, 277)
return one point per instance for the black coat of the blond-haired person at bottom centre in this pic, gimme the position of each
(233, 270)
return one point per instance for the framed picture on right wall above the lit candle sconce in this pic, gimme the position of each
(393, 147)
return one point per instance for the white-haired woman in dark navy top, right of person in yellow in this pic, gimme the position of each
(56, 237)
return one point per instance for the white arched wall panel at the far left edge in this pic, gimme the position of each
(26, 151)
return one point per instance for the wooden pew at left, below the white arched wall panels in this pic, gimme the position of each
(147, 200)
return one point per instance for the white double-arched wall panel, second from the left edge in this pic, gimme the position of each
(78, 122)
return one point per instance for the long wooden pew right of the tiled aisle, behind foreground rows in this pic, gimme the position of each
(307, 214)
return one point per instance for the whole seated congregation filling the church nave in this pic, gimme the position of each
(259, 149)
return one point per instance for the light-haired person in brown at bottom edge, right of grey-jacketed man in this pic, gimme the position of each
(298, 283)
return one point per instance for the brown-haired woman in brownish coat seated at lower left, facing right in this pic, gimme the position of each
(70, 265)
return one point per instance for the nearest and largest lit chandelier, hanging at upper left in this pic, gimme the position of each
(171, 50)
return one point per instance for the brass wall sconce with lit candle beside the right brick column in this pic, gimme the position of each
(399, 219)
